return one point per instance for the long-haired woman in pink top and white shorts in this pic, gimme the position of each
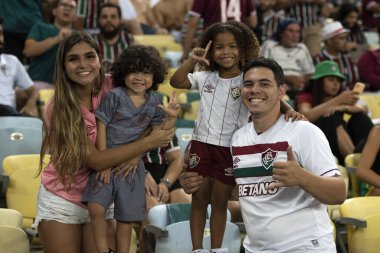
(71, 131)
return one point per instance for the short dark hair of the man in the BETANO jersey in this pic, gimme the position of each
(262, 62)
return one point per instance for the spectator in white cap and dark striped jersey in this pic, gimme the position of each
(334, 36)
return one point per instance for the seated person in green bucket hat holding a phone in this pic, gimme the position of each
(324, 102)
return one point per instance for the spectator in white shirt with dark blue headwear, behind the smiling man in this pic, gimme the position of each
(292, 55)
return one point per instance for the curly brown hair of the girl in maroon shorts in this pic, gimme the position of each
(246, 40)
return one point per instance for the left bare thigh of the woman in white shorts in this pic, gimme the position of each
(58, 237)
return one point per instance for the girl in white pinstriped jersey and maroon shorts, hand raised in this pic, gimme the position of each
(223, 49)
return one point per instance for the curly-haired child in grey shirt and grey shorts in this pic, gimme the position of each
(123, 116)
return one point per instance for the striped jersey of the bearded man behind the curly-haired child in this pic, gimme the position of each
(110, 53)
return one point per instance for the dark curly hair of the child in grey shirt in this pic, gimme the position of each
(139, 58)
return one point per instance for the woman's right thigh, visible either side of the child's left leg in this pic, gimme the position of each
(88, 243)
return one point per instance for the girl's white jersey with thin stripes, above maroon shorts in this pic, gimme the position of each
(221, 110)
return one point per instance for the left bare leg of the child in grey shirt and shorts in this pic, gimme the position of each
(98, 226)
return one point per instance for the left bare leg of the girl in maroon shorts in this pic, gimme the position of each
(200, 200)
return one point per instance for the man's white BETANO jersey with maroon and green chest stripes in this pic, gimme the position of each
(266, 212)
